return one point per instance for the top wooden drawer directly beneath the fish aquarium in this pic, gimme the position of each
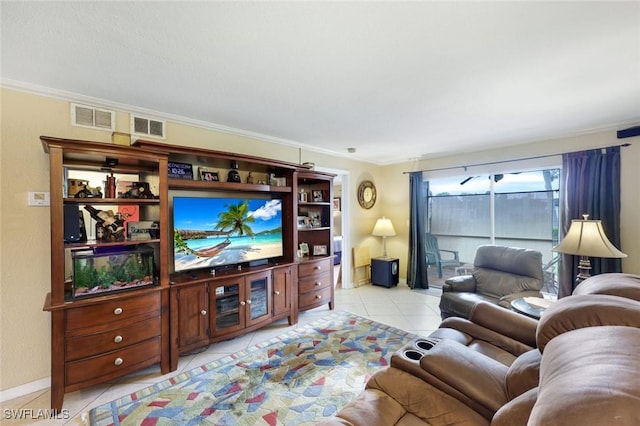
(115, 310)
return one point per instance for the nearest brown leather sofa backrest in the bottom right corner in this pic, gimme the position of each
(590, 376)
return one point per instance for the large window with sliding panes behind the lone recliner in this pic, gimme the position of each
(514, 209)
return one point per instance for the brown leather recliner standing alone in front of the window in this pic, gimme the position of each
(500, 275)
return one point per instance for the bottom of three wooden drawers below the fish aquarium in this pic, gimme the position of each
(113, 364)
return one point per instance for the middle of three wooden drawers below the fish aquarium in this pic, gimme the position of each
(111, 340)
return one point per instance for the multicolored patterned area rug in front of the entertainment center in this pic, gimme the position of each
(295, 379)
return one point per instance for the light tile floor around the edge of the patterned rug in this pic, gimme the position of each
(415, 311)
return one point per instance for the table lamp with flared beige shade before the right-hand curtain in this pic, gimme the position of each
(587, 238)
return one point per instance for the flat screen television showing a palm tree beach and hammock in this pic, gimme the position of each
(210, 232)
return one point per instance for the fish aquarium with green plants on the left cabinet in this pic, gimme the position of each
(96, 272)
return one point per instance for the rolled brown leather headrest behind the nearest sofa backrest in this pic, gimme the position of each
(590, 310)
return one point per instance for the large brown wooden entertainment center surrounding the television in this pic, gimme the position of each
(103, 331)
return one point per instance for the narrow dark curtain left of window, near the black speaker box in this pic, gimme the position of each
(417, 267)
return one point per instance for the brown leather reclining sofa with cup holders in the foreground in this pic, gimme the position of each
(584, 370)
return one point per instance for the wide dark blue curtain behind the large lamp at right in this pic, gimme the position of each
(590, 185)
